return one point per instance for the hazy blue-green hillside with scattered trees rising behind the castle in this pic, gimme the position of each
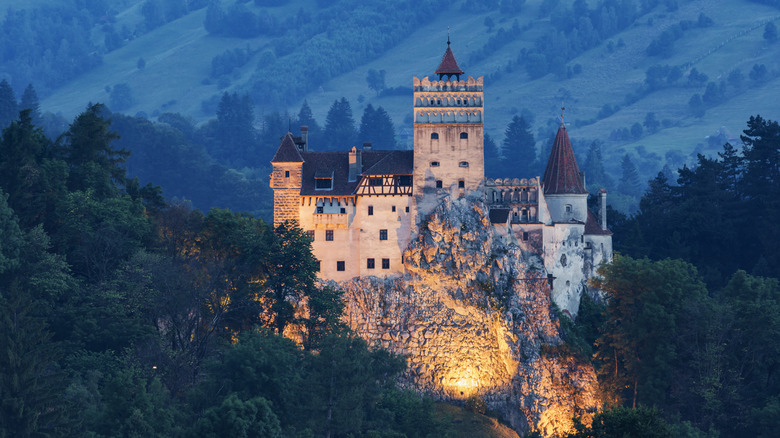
(602, 83)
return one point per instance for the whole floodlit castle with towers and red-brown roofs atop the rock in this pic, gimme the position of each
(362, 207)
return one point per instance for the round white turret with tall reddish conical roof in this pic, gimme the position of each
(564, 185)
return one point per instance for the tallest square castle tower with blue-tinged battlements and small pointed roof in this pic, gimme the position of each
(448, 139)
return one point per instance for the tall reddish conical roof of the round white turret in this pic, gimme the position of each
(562, 174)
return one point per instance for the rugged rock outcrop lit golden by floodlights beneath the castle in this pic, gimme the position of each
(473, 316)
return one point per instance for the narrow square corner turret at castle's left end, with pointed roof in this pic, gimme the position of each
(286, 179)
